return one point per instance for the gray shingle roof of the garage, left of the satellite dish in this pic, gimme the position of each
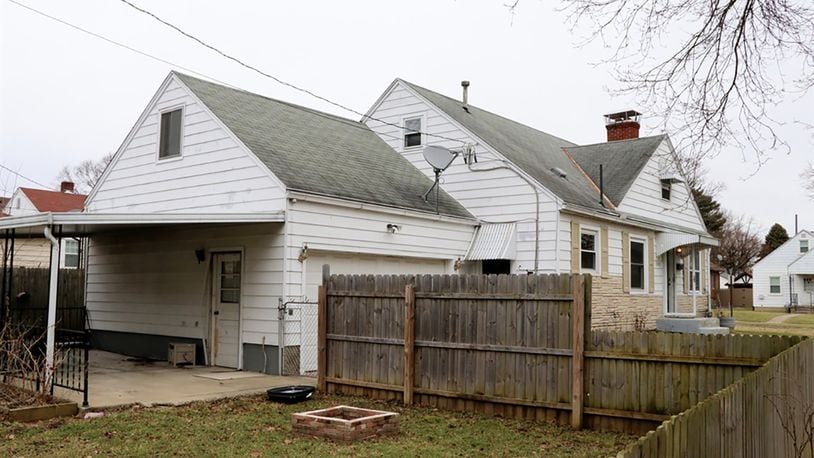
(320, 153)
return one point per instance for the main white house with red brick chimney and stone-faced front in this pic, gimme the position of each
(538, 197)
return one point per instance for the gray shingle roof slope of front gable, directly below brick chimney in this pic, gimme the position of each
(622, 161)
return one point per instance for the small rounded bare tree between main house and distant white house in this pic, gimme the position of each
(739, 249)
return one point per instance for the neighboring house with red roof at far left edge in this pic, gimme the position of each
(35, 251)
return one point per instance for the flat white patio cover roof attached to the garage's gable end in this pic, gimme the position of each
(78, 224)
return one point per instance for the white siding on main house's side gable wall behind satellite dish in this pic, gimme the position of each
(494, 196)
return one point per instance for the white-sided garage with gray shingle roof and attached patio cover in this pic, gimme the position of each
(221, 205)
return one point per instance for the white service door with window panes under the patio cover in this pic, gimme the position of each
(226, 309)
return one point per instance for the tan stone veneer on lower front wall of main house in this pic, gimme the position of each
(613, 309)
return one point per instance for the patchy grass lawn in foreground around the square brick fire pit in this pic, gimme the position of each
(254, 427)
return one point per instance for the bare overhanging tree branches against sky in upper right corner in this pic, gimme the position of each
(711, 70)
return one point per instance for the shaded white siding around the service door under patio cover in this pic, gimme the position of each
(149, 281)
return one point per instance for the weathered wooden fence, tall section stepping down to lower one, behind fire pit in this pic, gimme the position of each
(517, 346)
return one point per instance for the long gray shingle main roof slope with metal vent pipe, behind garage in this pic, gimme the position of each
(534, 151)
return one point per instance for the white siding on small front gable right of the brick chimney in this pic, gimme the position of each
(644, 198)
